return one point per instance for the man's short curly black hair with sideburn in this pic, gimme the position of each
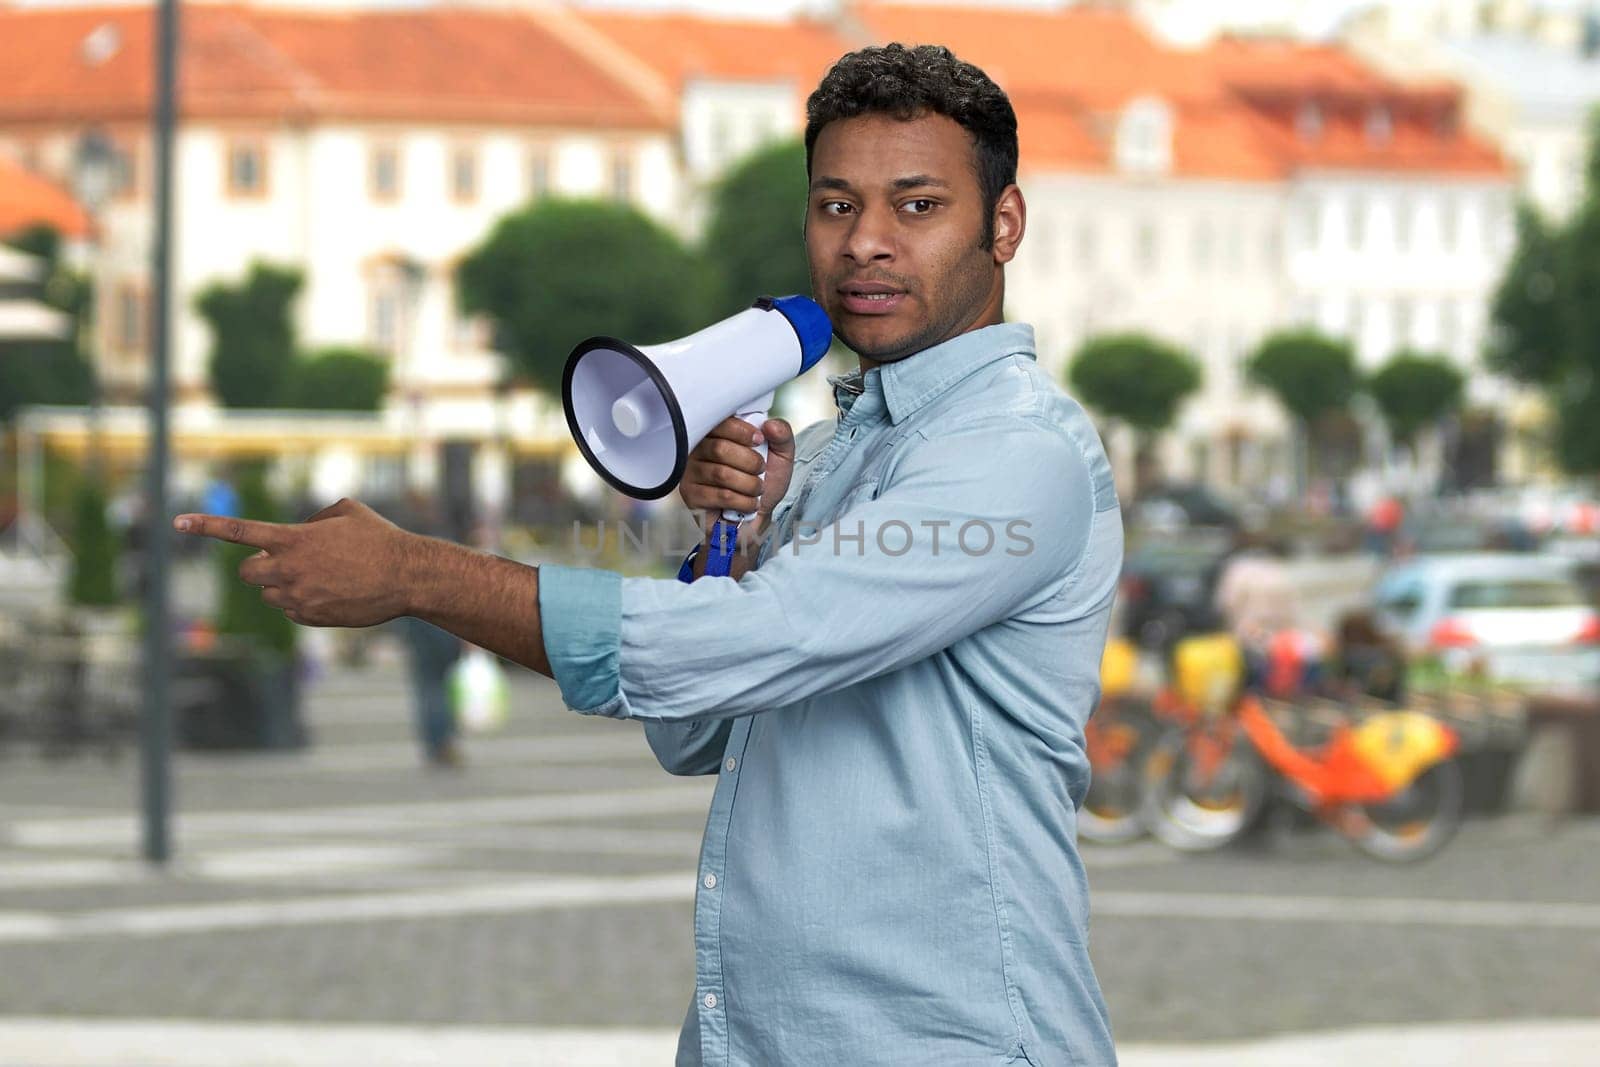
(913, 82)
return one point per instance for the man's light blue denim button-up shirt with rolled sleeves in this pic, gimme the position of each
(894, 701)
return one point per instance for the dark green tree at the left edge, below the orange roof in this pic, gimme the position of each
(50, 370)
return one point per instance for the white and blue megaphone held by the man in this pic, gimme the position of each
(636, 412)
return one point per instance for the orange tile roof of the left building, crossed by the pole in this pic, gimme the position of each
(447, 65)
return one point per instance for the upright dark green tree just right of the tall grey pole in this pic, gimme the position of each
(252, 335)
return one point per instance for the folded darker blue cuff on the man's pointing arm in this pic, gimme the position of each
(582, 617)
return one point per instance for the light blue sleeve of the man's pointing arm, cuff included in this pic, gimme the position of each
(967, 529)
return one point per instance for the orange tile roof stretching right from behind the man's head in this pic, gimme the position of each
(1071, 73)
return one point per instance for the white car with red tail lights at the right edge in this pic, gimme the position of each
(1524, 618)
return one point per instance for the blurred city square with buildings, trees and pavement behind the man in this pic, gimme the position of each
(1327, 274)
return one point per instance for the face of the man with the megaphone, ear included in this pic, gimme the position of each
(895, 233)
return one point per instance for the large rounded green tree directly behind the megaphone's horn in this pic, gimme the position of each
(561, 271)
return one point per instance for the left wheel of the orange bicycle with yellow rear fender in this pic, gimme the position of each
(1204, 786)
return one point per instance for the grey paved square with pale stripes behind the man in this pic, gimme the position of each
(548, 889)
